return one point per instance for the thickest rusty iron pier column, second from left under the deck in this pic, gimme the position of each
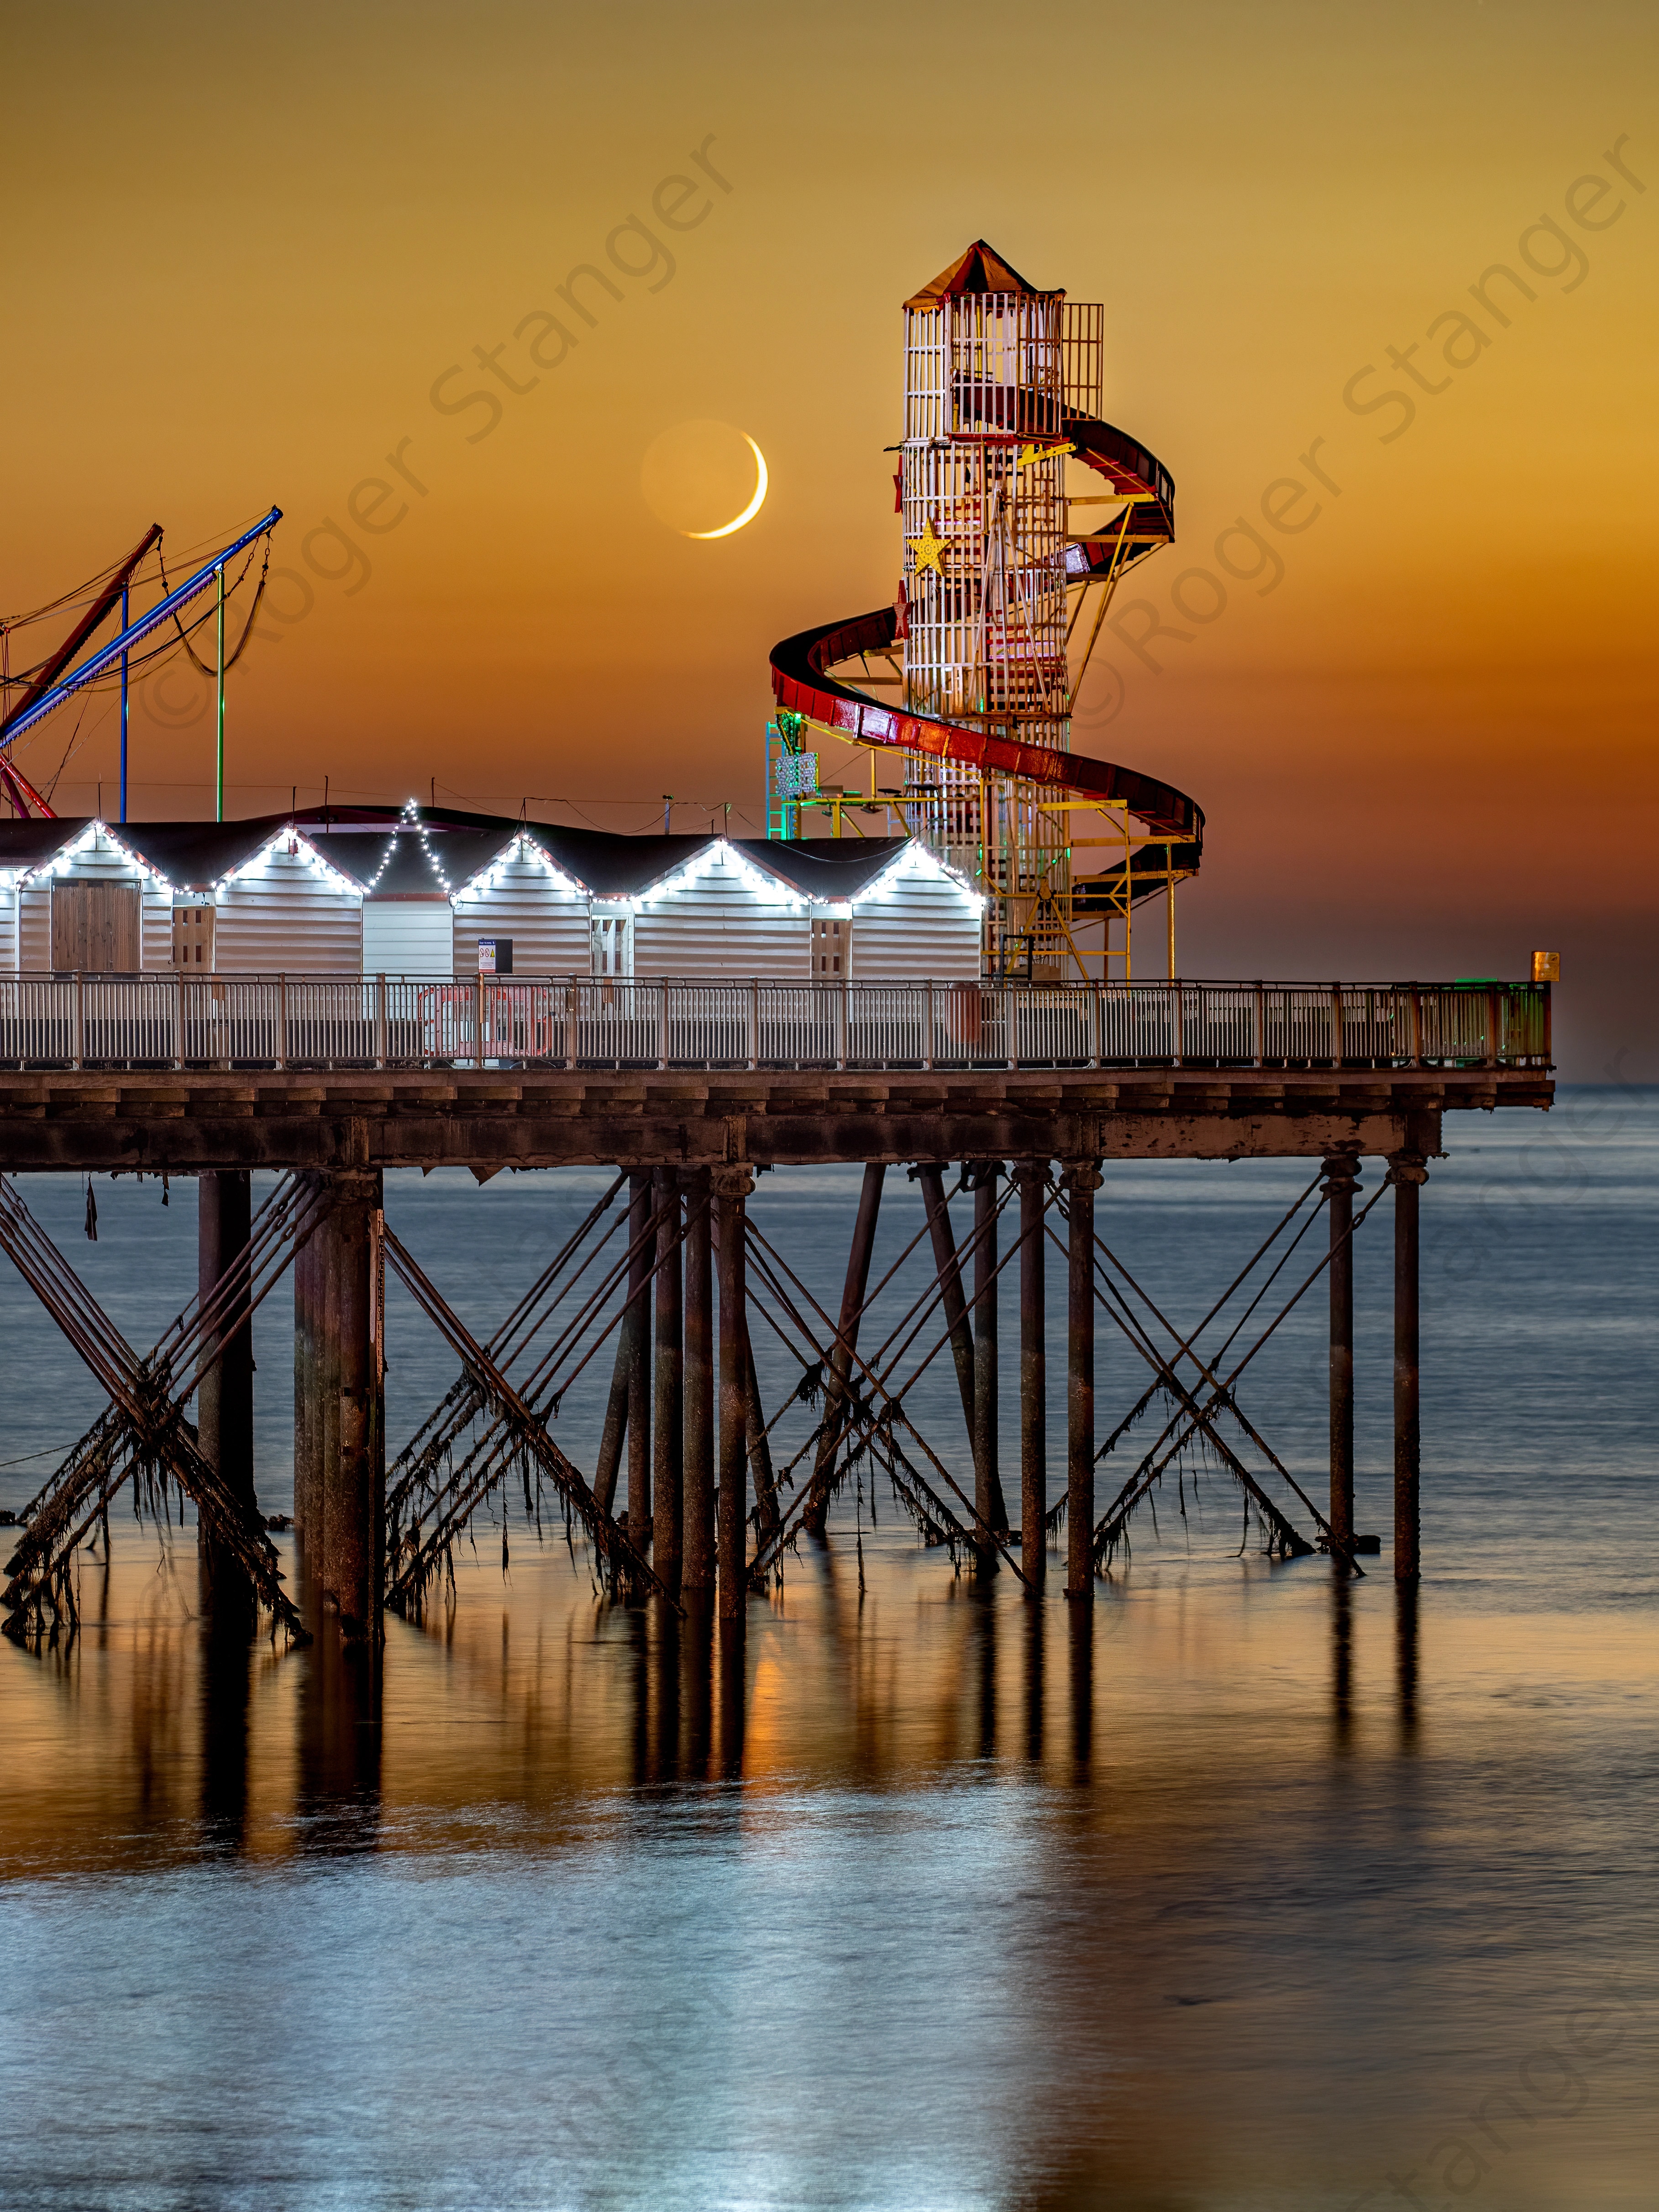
(353, 1501)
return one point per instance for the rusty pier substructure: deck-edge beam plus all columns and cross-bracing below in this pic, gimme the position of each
(678, 1273)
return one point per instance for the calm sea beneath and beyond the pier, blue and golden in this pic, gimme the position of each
(1258, 1890)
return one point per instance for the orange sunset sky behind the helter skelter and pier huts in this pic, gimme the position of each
(244, 249)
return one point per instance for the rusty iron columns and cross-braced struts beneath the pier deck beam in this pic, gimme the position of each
(731, 1461)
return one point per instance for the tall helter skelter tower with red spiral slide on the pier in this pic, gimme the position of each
(992, 627)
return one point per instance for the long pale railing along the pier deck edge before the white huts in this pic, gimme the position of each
(178, 1021)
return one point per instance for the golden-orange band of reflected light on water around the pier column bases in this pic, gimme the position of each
(167, 1726)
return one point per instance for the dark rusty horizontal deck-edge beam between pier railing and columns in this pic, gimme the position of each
(488, 1120)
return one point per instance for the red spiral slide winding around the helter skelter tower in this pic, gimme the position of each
(1145, 525)
